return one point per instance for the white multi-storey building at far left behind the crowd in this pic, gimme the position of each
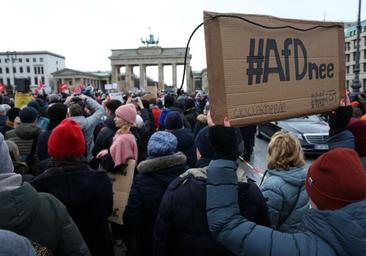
(33, 65)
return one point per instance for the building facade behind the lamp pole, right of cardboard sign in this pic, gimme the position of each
(350, 51)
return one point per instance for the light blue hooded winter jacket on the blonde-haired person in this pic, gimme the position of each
(287, 199)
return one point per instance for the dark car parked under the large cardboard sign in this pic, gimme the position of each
(312, 132)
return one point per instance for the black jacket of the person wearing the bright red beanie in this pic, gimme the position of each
(87, 195)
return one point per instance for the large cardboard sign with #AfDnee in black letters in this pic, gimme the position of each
(263, 68)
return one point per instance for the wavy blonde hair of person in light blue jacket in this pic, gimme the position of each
(284, 151)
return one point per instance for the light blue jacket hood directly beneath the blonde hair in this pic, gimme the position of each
(295, 176)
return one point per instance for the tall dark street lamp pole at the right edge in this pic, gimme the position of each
(356, 85)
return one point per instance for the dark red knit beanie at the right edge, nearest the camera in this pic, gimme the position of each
(335, 179)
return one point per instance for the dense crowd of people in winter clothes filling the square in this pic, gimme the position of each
(187, 195)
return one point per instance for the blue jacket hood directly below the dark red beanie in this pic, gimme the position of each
(343, 229)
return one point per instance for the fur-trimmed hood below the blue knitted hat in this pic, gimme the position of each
(161, 163)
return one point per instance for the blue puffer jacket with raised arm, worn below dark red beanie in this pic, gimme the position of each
(338, 232)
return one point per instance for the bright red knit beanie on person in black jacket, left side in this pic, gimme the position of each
(66, 139)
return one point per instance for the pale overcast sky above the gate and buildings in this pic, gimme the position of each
(85, 31)
